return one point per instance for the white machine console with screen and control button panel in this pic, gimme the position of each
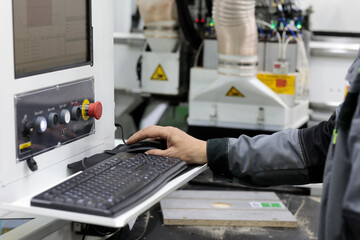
(56, 90)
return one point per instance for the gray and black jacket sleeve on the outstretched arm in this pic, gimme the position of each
(286, 157)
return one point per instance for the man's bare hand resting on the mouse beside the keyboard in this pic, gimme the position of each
(179, 144)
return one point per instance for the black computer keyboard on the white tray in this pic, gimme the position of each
(112, 186)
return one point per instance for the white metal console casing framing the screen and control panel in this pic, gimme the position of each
(16, 179)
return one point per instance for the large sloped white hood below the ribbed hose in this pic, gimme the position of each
(209, 105)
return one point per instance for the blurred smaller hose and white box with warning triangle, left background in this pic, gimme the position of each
(160, 63)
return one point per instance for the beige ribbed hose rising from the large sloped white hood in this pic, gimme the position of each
(237, 36)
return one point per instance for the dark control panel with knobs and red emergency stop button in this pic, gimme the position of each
(50, 117)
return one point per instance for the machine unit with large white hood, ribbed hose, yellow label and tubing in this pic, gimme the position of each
(260, 79)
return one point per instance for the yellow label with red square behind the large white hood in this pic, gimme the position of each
(284, 84)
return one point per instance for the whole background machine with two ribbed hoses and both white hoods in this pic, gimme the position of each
(249, 68)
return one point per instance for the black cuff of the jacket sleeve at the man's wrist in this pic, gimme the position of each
(216, 151)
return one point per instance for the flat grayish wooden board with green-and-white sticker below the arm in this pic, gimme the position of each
(226, 208)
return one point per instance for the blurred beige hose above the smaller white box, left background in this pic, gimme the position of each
(161, 22)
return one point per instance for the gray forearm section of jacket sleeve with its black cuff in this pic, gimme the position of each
(263, 160)
